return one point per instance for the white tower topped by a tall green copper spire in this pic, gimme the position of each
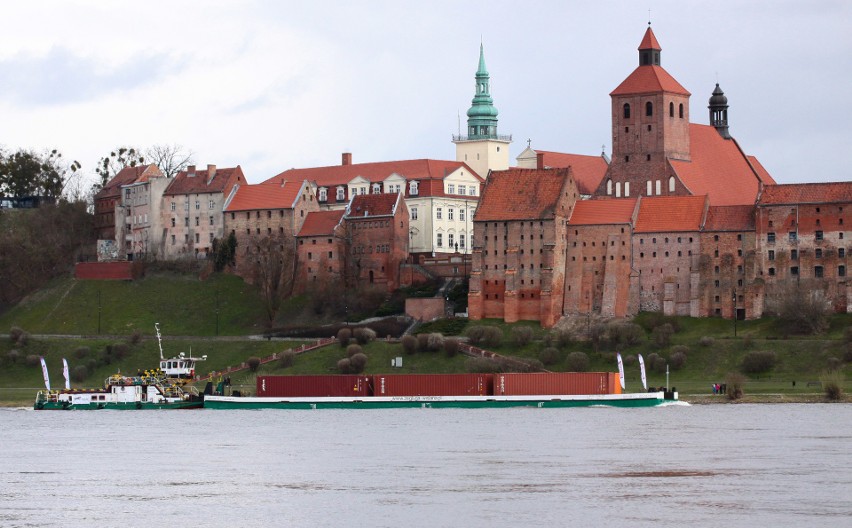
(482, 148)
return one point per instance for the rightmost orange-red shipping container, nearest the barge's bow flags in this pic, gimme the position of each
(555, 383)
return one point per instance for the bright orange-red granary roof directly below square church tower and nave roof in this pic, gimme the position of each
(670, 213)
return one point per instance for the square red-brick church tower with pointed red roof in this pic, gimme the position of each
(650, 125)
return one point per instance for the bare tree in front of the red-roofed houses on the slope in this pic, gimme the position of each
(274, 271)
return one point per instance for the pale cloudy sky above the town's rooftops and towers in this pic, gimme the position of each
(273, 85)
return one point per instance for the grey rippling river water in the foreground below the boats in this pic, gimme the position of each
(714, 465)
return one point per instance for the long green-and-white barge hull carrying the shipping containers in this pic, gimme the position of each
(646, 399)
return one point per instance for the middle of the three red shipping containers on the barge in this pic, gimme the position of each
(432, 385)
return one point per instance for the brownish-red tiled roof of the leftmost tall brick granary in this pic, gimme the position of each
(521, 194)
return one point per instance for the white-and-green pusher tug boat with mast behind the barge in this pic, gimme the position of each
(163, 388)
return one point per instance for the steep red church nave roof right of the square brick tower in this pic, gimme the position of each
(718, 168)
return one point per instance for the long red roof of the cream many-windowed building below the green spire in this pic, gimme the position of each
(421, 169)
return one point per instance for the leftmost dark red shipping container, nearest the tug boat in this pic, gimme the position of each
(309, 386)
